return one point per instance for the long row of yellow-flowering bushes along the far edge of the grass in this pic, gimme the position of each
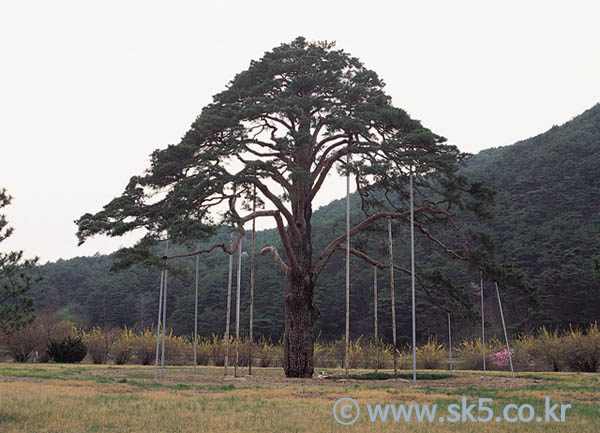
(543, 350)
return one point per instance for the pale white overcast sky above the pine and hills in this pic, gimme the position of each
(89, 89)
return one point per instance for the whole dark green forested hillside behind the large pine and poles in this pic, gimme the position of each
(546, 223)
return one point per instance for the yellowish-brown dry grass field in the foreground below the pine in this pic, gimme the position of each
(61, 398)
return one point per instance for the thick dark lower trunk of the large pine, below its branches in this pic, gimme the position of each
(300, 316)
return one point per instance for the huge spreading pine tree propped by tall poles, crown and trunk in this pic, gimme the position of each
(282, 126)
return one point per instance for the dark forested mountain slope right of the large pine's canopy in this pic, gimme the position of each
(547, 217)
